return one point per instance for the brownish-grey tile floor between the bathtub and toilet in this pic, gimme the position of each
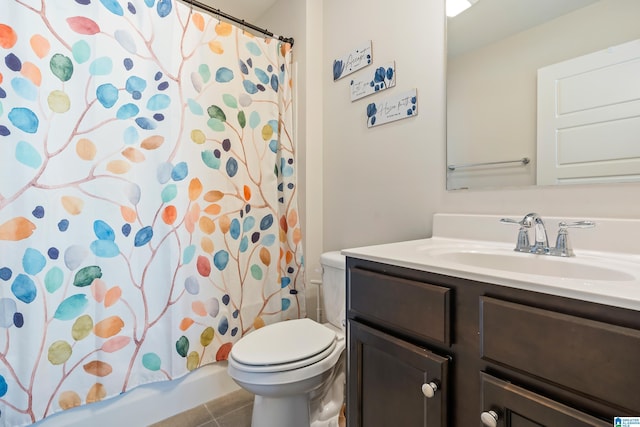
(232, 410)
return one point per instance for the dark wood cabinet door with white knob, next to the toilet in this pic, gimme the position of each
(386, 380)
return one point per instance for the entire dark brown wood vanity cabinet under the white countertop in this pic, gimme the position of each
(497, 355)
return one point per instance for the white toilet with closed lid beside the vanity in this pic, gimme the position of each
(296, 368)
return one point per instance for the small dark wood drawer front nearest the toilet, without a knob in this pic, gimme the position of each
(410, 307)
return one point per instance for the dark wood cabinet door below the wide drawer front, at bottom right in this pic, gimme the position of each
(514, 406)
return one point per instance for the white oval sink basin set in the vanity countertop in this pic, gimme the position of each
(523, 263)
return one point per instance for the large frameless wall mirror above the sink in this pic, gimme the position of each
(512, 81)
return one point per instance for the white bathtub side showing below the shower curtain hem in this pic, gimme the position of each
(149, 403)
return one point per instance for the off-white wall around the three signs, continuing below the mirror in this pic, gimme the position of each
(384, 184)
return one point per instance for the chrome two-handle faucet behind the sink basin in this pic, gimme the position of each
(541, 243)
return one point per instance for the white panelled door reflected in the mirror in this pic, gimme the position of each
(589, 118)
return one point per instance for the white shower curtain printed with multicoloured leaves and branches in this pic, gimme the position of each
(148, 213)
